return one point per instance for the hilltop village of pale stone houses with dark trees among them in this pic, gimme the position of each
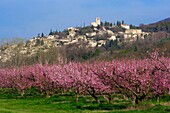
(95, 35)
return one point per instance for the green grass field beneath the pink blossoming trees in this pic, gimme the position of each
(12, 103)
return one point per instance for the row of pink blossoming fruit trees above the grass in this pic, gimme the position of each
(134, 79)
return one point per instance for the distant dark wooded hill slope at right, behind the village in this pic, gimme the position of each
(163, 25)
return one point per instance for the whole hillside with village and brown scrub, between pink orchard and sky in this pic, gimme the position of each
(100, 41)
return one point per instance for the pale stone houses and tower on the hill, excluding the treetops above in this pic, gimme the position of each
(95, 38)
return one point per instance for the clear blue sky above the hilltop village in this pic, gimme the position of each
(27, 18)
